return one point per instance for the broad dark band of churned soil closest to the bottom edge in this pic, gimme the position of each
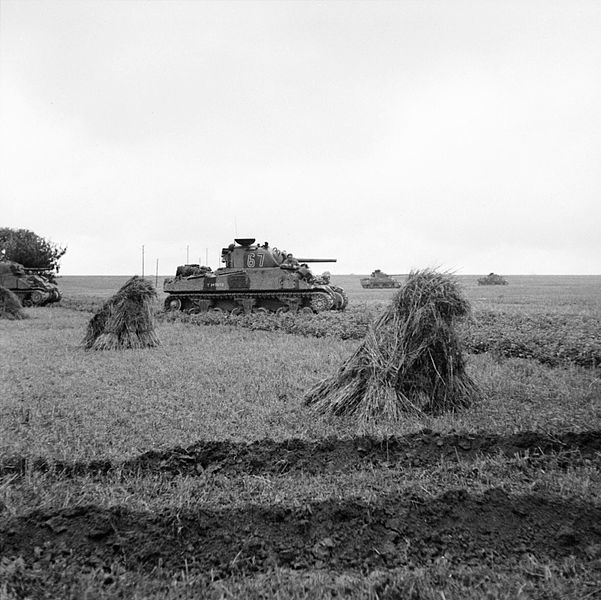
(493, 528)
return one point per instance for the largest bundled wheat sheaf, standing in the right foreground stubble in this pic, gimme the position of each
(410, 359)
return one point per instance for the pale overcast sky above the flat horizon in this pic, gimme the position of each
(392, 135)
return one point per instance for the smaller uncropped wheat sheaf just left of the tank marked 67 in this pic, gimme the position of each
(125, 320)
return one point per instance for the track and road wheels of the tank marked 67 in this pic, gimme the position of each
(236, 302)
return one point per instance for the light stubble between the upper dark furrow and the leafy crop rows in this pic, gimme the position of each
(225, 383)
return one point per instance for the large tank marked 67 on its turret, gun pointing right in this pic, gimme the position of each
(255, 278)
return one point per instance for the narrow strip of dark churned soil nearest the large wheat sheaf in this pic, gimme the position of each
(270, 457)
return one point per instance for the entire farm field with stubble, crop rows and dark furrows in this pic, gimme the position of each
(194, 469)
